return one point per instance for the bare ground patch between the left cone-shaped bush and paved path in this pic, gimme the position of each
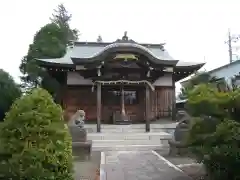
(86, 169)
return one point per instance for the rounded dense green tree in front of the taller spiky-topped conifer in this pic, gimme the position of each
(49, 42)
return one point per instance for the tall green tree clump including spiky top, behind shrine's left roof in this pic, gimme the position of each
(49, 42)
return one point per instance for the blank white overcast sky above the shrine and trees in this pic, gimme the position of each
(192, 29)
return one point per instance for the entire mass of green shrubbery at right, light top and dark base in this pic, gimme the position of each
(214, 137)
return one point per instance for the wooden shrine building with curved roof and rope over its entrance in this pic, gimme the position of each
(120, 82)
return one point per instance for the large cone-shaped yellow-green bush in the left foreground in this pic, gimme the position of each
(35, 141)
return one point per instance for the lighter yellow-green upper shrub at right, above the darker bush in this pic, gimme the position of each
(208, 101)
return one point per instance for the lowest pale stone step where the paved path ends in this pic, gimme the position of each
(139, 147)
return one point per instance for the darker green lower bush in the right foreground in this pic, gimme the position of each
(219, 150)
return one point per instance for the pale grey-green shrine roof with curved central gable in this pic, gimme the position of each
(87, 51)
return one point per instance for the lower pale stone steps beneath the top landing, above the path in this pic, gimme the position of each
(128, 141)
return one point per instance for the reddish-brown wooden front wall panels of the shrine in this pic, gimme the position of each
(82, 97)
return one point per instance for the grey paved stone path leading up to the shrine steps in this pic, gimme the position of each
(138, 165)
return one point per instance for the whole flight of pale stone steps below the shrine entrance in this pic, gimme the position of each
(130, 137)
